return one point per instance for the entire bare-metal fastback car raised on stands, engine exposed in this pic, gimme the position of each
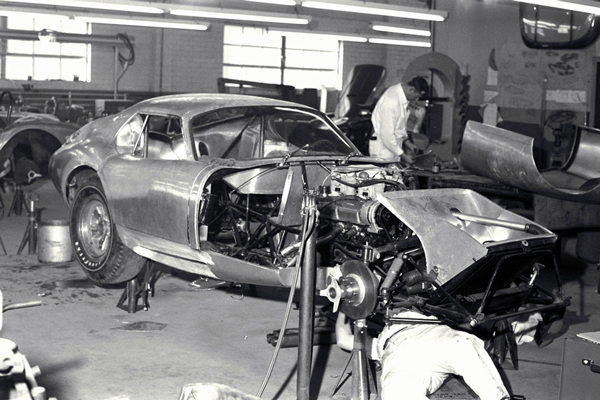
(218, 184)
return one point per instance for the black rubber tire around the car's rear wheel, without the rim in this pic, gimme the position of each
(121, 264)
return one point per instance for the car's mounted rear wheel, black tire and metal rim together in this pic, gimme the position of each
(96, 243)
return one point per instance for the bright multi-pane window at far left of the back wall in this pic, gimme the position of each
(43, 59)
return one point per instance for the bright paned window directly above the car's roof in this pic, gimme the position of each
(254, 54)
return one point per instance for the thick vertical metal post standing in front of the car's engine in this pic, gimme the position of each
(307, 310)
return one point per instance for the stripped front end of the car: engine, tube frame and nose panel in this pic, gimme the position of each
(451, 253)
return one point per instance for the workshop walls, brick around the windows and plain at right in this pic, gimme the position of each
(175, 61)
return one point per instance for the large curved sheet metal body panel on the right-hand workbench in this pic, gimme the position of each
(507, 157)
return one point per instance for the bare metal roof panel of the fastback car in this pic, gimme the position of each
(193, 104)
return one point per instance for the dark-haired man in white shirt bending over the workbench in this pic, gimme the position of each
(389, 118)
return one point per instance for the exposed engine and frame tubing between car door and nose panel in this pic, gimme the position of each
(351, 219)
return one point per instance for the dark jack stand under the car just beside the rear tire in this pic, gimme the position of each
(140, 287)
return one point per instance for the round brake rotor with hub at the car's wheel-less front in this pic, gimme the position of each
(360, 290)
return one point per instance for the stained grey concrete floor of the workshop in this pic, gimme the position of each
(85, 348)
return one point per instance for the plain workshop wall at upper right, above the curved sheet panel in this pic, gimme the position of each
(484, 39)
